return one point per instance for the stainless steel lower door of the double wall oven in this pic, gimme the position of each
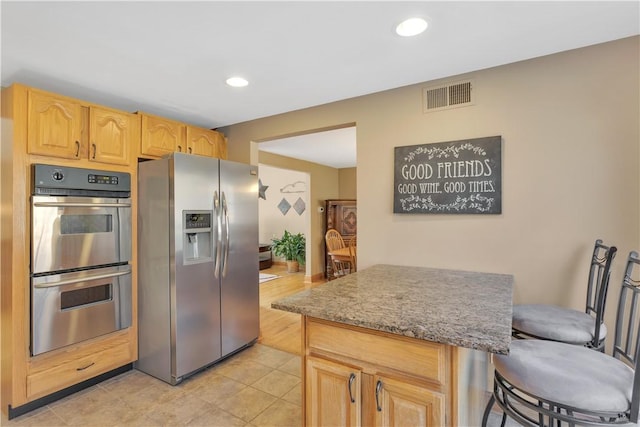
(72, 307)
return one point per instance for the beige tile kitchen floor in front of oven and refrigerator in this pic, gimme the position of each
(259, 386)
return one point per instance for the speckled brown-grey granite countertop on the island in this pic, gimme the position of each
(461, 308)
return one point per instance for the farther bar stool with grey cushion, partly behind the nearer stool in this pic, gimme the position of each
(554, 323)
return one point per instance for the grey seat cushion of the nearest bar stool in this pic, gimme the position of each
(567, 374)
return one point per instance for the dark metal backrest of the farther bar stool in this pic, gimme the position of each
(599, 275)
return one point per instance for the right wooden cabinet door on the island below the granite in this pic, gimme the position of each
(399, 403)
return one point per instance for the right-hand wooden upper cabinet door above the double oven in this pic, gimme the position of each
(112, 134)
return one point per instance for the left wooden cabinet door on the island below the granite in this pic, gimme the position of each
(332, 394)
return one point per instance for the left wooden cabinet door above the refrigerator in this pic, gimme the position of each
(161, 136)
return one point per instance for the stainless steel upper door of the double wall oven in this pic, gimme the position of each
(77, 232)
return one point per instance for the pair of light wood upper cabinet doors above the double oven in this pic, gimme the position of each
(57, 127)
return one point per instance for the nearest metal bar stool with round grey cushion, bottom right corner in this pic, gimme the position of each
(541, 383)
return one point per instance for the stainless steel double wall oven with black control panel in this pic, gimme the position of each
(80, 255)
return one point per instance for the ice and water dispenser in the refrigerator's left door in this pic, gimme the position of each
(197, 237)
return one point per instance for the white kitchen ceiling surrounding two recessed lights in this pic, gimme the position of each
(172, 58)
